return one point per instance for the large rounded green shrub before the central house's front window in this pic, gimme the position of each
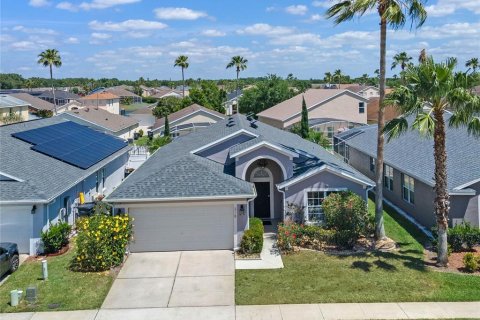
(346, 213)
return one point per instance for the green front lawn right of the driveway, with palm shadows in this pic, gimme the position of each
(315, 277)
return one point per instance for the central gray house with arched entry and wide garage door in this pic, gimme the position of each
(198, 192)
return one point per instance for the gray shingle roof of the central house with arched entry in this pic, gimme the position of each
(173, 171)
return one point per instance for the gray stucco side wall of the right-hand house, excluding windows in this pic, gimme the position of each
(423, 209)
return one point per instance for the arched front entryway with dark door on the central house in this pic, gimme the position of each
(265, 174)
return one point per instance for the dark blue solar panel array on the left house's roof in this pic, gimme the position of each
(72, 143)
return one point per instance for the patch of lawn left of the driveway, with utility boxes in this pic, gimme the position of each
(72, 290)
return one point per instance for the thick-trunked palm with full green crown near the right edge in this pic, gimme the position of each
(437, 86)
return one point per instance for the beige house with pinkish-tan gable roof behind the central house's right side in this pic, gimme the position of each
(321, 103)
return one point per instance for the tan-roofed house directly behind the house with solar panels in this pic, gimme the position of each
(101, 120)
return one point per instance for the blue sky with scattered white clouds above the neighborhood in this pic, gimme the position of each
(132, 38)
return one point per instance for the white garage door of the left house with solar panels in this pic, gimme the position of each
(16, 226)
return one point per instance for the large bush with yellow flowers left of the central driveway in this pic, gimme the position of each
(101, 242)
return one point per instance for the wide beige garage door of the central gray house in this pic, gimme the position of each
(182, 228)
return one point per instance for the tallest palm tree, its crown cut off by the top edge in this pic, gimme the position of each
(391, 12)
